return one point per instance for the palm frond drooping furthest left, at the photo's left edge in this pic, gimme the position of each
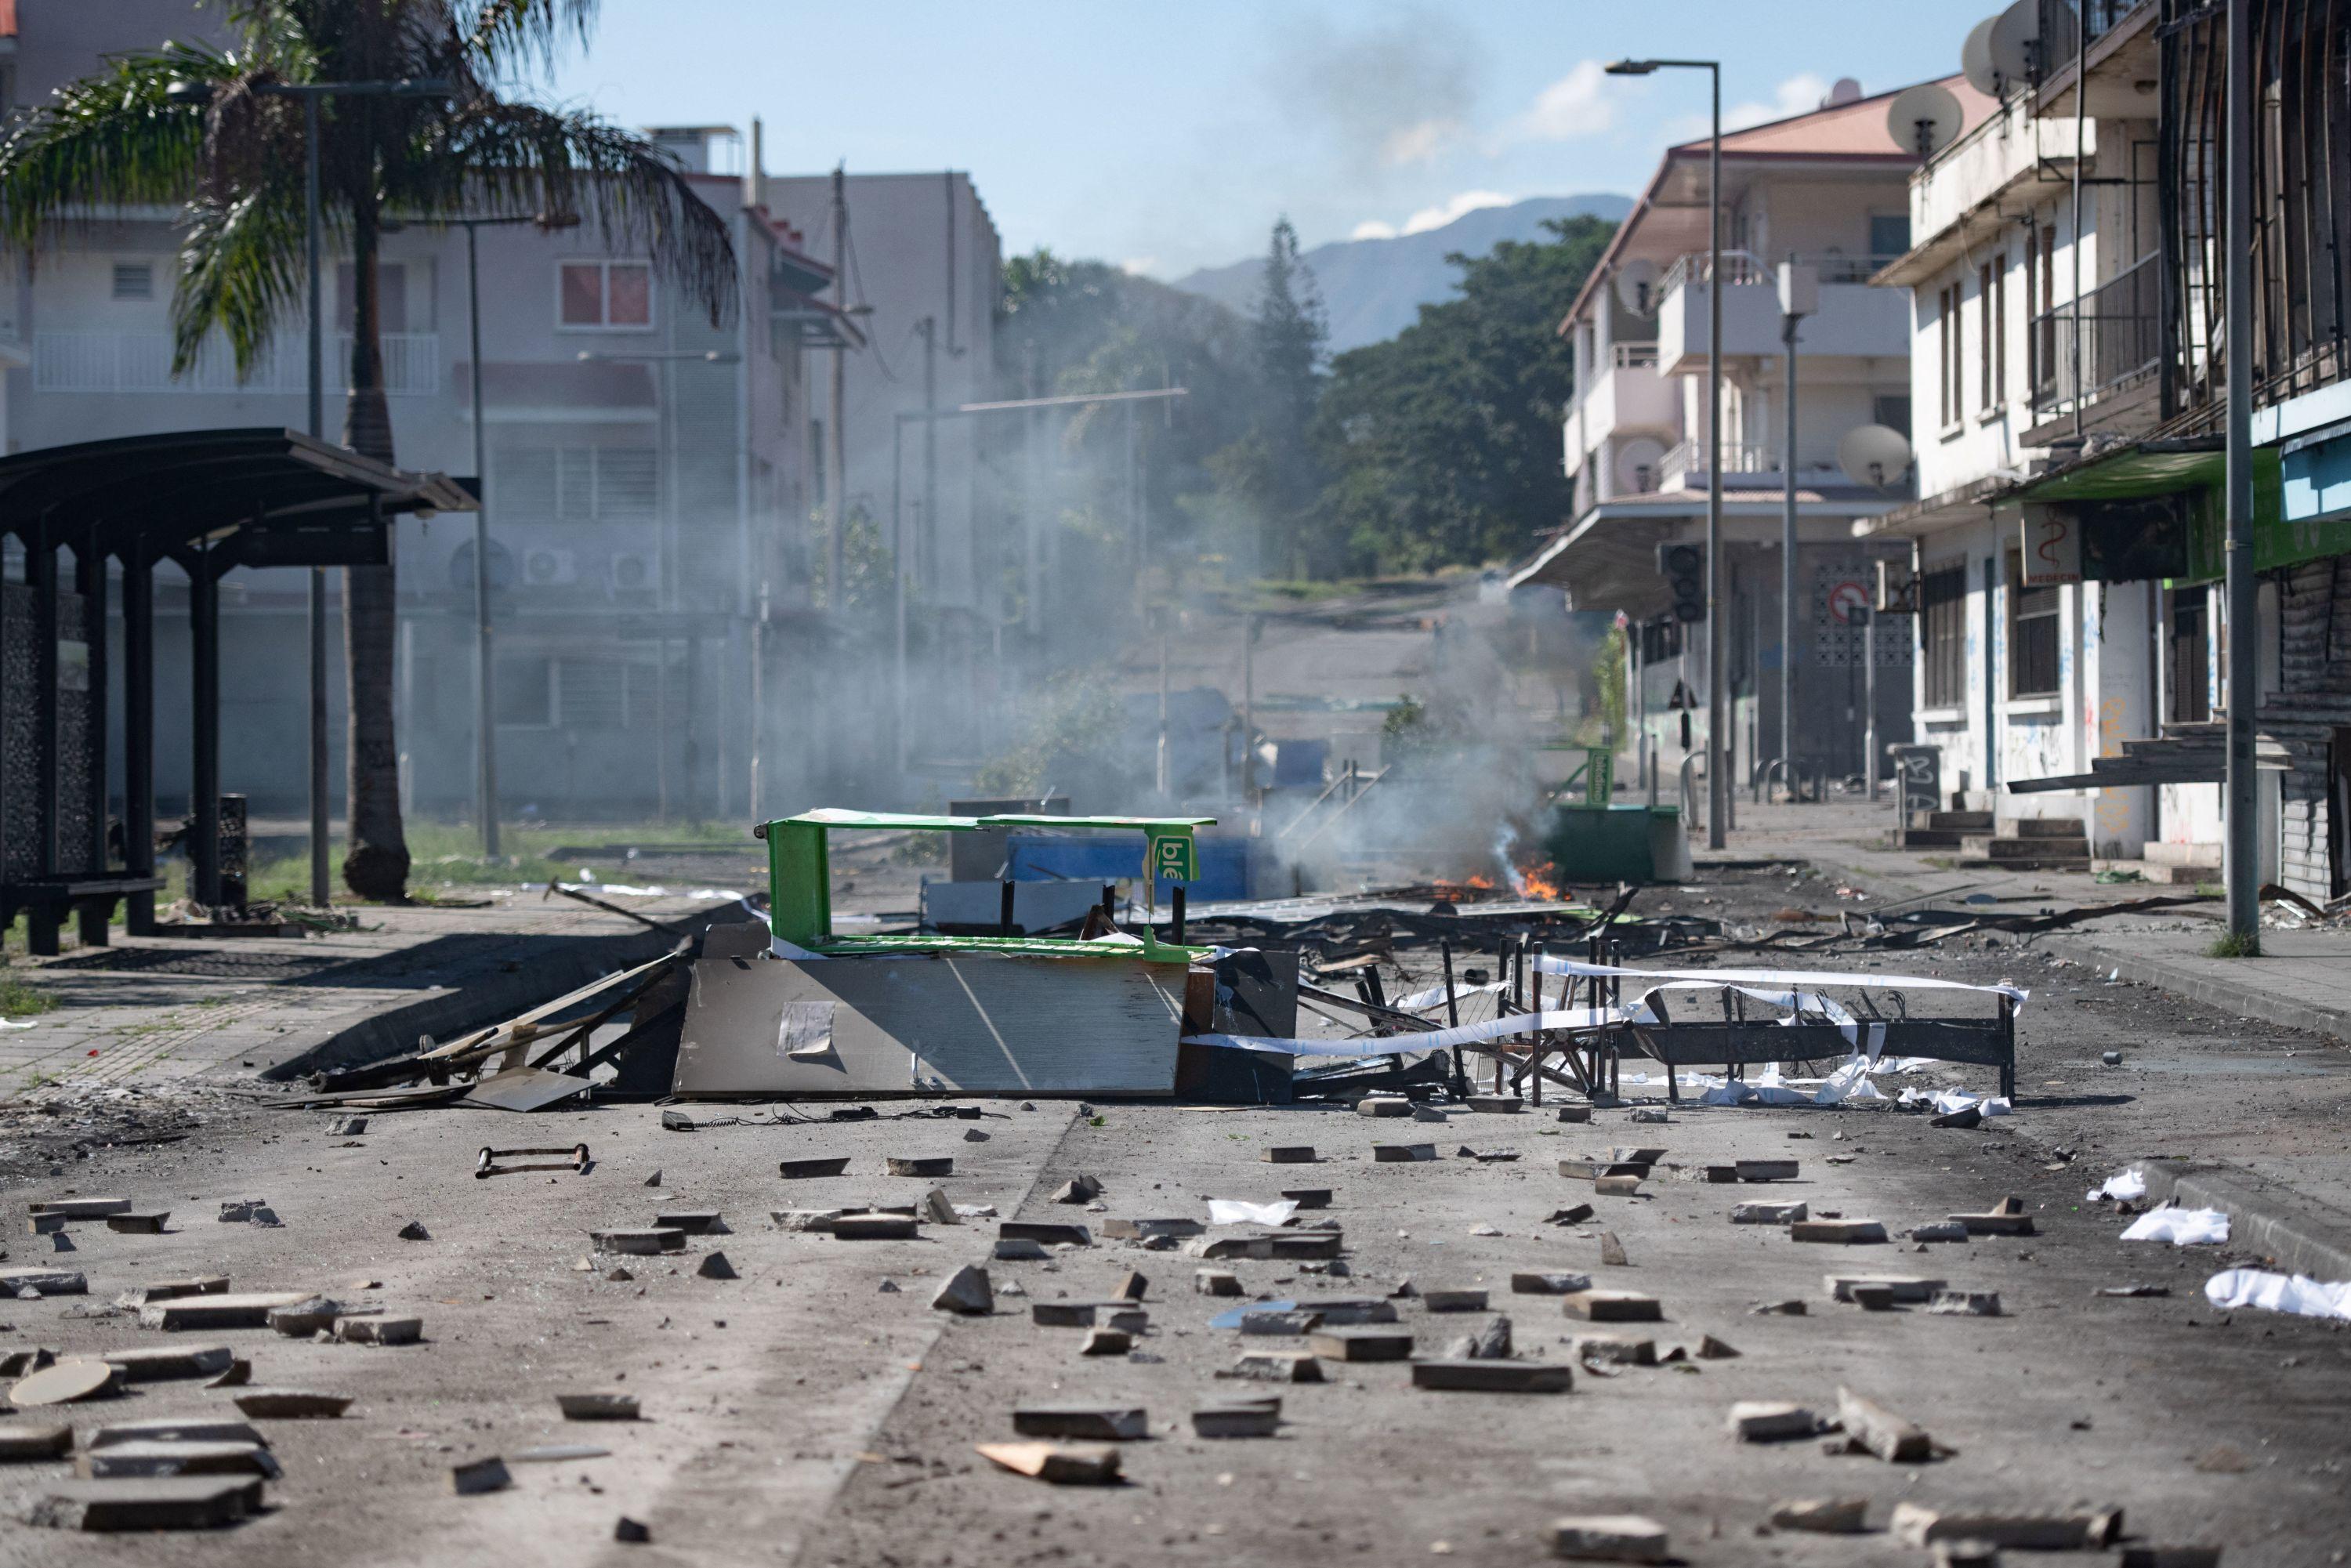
(112, 140)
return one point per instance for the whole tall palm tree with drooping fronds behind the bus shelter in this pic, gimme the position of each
(234, 159)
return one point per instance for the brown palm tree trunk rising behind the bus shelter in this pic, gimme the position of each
(377, 864)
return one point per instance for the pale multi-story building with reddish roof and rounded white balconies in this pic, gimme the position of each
(1823, 192)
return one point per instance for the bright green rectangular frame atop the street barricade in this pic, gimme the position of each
(801, 883)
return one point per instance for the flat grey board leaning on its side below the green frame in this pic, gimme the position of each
(937, 1024)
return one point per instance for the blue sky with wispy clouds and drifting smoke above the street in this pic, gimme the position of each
(1167, 138)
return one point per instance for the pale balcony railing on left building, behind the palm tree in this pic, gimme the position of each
(142, 363)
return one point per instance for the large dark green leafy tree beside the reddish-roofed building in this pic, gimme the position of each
(1445, 441)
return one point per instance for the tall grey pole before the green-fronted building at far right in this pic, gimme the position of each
(2242, 862)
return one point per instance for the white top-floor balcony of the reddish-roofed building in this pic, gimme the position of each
(1854, 321)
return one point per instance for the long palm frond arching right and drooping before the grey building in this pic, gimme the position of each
(521, 159)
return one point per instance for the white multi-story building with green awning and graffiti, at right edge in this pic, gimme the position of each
(2068, 542)
